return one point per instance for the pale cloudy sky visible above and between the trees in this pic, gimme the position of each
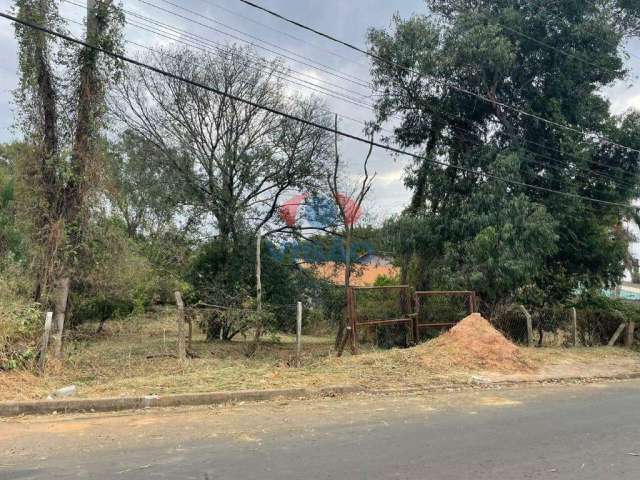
(344, 69)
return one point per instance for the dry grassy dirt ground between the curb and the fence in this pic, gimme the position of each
(128, 360)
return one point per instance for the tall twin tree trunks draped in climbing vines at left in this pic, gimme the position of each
(62, 110)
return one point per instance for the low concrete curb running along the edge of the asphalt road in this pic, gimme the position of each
(83, 405)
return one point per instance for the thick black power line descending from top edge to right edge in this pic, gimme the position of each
(443, 82)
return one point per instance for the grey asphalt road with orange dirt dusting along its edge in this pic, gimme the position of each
(585, 432)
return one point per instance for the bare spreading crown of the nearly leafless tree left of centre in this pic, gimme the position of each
(233, 160)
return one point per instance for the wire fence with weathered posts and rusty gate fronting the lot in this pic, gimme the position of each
(219, 330)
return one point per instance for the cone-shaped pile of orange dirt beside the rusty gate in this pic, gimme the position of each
(474, 344)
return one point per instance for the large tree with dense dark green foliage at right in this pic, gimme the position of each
(550, 59)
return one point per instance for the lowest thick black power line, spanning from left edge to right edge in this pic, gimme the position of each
(310, 123)
